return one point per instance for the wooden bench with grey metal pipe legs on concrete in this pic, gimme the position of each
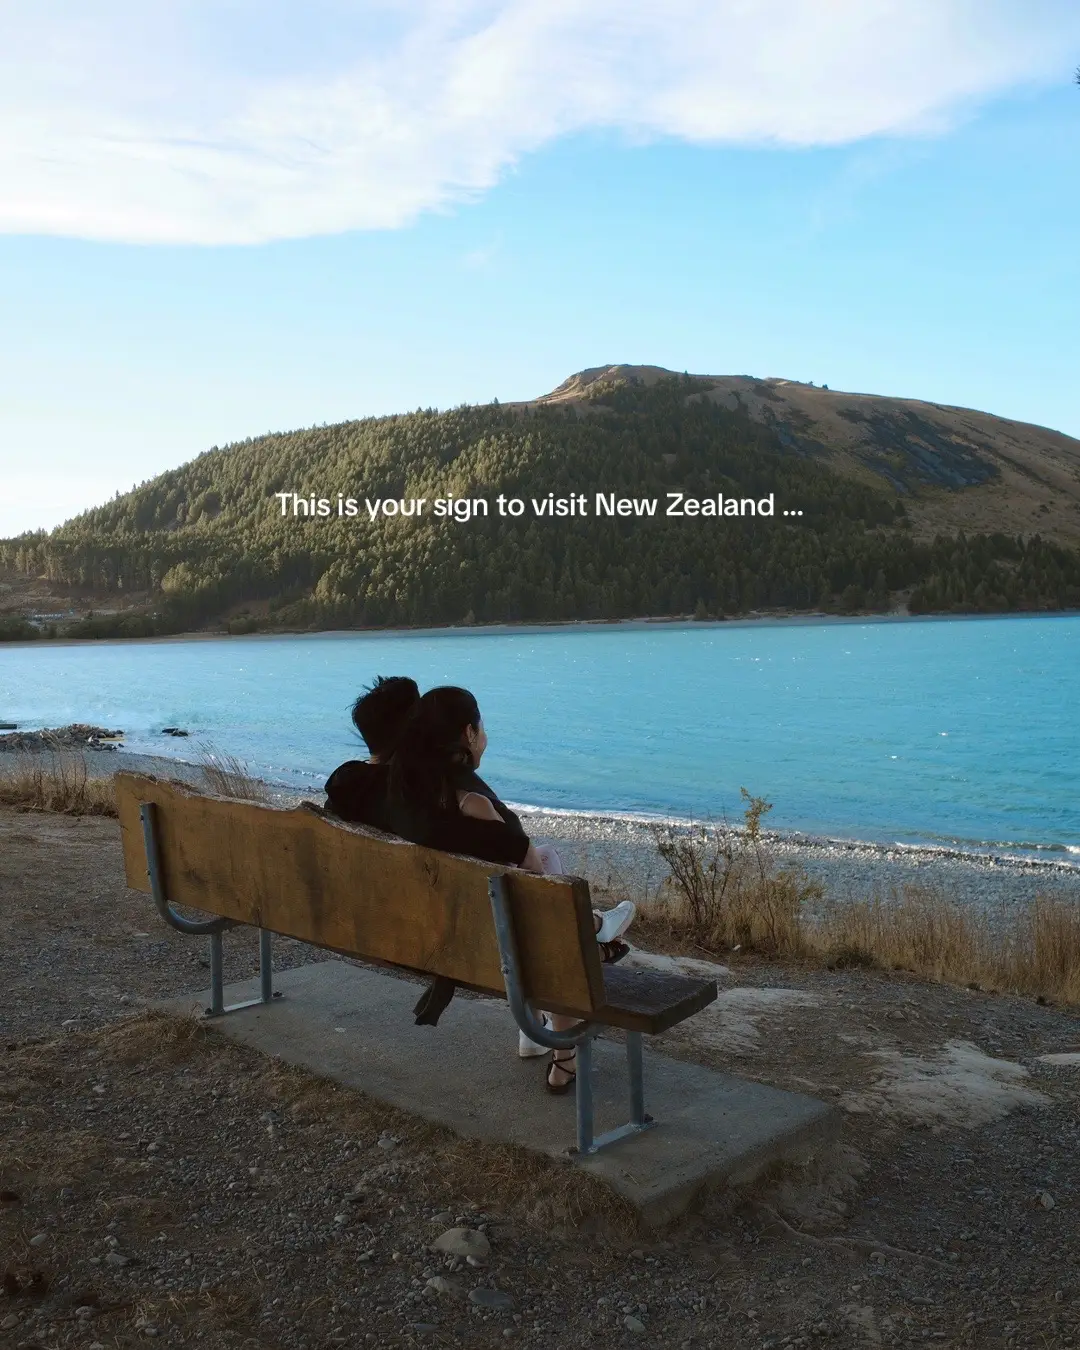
(491, 929)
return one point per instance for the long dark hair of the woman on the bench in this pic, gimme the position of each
(430, 754)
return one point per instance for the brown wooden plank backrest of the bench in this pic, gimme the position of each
(304, 875)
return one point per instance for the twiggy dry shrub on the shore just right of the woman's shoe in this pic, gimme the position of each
(726, 890)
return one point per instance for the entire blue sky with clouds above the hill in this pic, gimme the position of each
(222, 218)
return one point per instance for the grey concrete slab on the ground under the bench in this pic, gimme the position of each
(356, 1027)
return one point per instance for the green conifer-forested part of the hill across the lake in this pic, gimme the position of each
(209, 543)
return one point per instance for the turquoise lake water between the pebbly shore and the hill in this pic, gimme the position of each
(940, 731)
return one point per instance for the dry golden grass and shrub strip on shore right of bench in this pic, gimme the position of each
(726, 893)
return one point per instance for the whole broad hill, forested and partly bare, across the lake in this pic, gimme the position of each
(843, 503)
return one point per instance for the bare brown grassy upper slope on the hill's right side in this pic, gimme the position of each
(958, 469)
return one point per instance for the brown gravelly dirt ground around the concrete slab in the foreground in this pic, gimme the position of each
(161, 1185)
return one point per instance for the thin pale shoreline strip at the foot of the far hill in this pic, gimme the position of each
(809, 619)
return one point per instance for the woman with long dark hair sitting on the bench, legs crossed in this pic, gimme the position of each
(434, 793)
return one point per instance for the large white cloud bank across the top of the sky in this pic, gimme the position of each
(245, 121)
